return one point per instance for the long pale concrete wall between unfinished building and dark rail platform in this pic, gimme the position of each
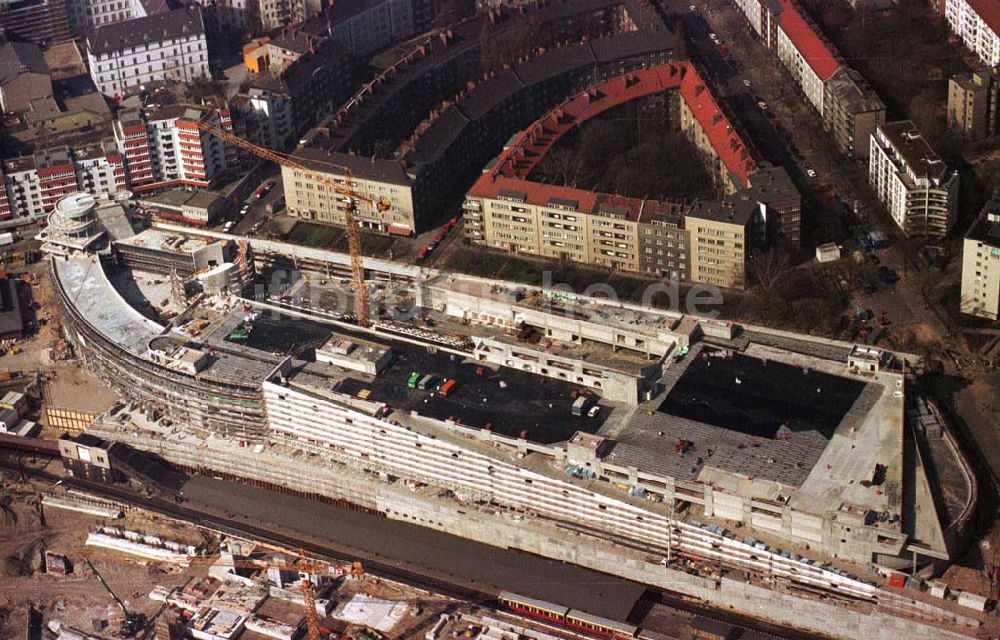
(511, 530)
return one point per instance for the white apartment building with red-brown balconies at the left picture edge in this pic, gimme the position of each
(32, 184)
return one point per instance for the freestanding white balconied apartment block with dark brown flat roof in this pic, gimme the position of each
(912, 181)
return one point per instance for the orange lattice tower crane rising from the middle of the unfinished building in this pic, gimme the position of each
(359, 286)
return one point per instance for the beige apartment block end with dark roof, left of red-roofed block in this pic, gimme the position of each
(385, 185)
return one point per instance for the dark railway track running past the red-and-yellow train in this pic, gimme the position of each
(241, 529)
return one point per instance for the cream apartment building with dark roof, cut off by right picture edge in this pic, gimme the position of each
(981, 263)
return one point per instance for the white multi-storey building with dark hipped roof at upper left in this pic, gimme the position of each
(124, 56)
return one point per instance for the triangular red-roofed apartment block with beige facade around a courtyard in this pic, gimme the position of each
(704, 242)
